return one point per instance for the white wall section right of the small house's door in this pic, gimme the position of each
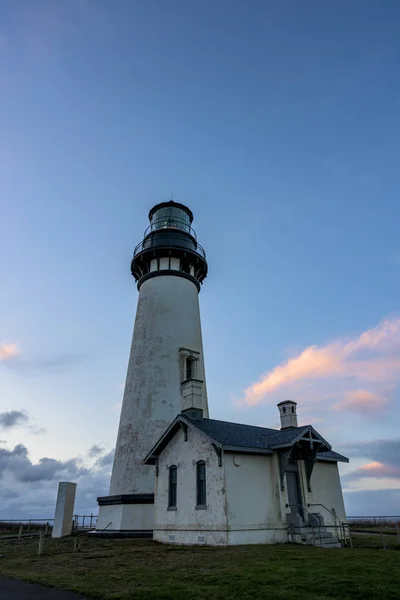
(327, 490)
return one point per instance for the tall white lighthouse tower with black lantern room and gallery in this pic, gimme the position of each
(166, 365)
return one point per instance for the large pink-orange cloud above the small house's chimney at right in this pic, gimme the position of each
(360, 372)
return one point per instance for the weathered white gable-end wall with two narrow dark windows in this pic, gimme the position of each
(186, 524)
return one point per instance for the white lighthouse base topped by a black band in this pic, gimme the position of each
(126, 513)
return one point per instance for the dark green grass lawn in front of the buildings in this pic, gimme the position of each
(145, 570)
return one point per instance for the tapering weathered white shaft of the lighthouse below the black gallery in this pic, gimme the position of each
(167, 319)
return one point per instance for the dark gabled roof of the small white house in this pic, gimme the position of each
(238, 437)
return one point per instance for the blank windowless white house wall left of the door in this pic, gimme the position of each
(253, 500)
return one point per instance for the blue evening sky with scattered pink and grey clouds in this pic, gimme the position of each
(277, 122)
